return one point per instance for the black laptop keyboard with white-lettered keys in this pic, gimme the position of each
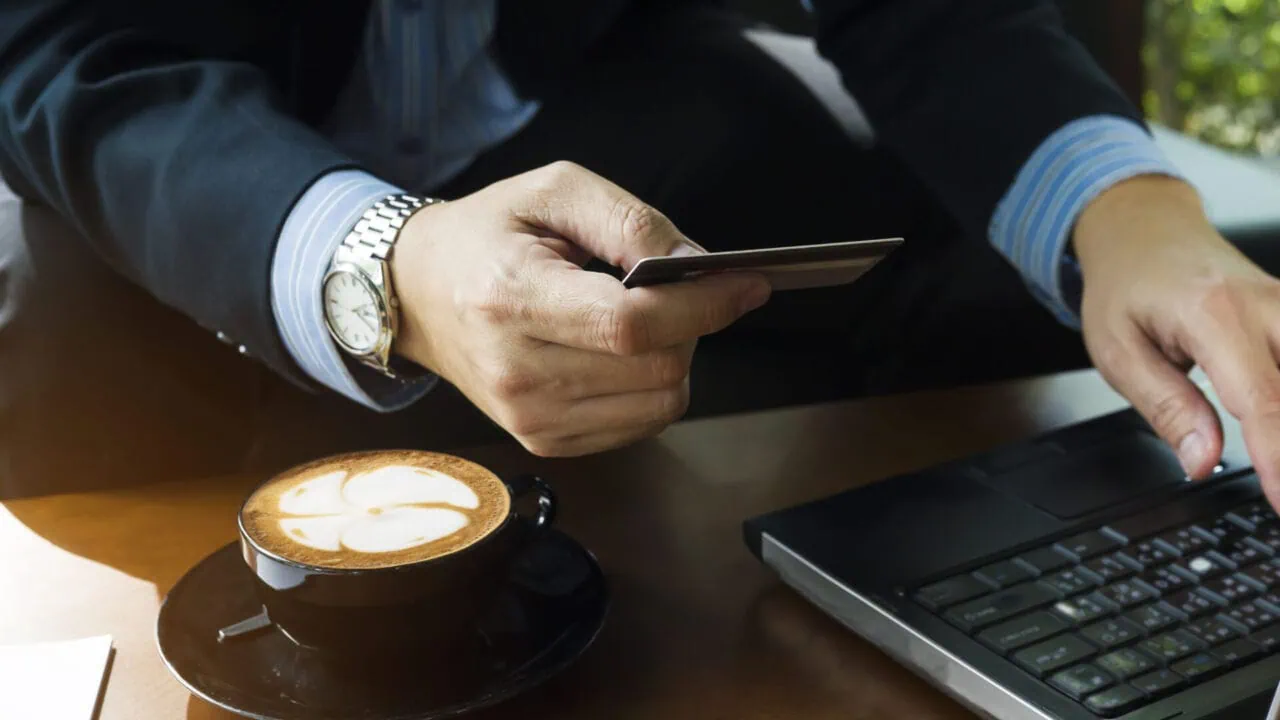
(1116, 622)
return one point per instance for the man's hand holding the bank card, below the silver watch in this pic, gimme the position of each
(495, 299)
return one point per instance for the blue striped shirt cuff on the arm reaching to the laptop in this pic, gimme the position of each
(1034, 224)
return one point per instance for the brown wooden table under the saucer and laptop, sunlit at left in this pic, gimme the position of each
(698, 628)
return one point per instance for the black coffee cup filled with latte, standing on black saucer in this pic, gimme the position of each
(386, 553)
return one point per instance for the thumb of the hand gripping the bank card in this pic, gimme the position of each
(597, 216)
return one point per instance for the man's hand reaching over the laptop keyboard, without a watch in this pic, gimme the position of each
(1164, 291)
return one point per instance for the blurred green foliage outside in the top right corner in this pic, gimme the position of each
(1214, 71)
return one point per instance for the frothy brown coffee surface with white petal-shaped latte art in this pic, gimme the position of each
(376, 509)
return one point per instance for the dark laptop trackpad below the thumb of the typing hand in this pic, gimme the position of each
(1084, 481)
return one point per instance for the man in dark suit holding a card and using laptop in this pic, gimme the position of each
(221, 156)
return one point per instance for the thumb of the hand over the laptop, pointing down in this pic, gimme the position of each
(1167, 398)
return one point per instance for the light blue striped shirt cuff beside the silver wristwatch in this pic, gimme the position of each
(317, 225)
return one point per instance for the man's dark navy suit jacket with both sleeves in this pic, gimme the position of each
(177, 136)
